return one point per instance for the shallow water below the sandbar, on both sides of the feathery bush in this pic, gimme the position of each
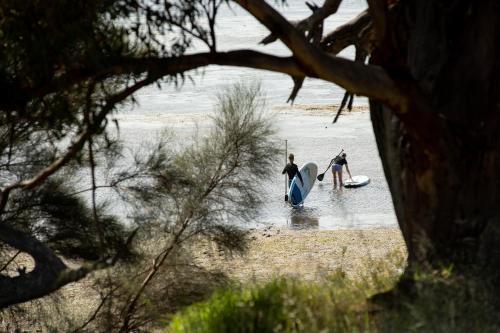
(312, 138)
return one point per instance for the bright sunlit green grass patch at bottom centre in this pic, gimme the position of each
(336, 304)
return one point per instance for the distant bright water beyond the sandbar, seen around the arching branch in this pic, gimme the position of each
(238, 30)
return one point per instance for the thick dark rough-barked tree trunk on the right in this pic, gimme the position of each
(441, 151)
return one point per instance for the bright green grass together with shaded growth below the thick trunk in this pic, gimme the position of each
(439, 301)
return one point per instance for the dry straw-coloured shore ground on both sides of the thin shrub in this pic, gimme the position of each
(273, 252)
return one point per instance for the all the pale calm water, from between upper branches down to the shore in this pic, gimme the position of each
(310, 136)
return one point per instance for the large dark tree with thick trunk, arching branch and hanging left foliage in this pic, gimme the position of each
(66, 67)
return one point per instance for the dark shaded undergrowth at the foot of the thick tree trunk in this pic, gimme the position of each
(442, 301)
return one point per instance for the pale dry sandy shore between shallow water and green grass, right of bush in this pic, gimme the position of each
(310, 254)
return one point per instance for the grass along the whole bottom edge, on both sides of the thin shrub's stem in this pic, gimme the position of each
(438, 301)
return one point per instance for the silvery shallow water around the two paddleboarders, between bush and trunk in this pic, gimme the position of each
(314, 139)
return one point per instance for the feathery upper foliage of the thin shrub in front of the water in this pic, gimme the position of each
(213, 179)
